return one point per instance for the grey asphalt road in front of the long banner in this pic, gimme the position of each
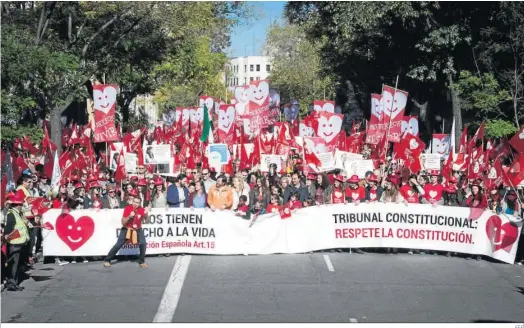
(272, 288)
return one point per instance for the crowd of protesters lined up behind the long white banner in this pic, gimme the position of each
(248, 192)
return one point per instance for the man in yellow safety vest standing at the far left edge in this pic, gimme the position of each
(17, 236)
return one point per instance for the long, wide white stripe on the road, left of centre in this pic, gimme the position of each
(166, 309)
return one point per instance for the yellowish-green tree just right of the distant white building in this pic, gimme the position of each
(296, 66)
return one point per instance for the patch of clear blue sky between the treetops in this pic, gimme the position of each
(243, 36)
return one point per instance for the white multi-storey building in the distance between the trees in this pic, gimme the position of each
(242, 70)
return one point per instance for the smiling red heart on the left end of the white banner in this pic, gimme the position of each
(74, 233)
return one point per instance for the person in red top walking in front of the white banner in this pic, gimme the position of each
(131, 230)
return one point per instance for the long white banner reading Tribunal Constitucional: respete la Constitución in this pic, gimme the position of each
(202, 231)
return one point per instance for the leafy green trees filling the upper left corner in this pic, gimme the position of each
(55, 49)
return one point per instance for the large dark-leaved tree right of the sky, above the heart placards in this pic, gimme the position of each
(425, 43)
